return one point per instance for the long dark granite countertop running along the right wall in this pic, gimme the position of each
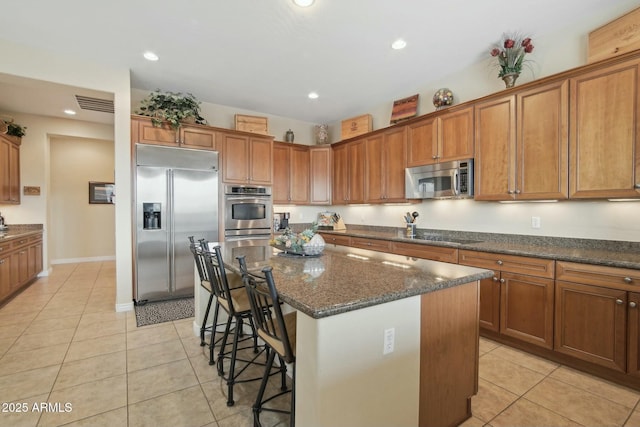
(590, 251)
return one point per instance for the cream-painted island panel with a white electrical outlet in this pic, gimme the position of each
(342, 376)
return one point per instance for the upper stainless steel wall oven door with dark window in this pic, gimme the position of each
(247, 212)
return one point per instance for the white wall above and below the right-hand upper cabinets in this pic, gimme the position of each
(555, 53)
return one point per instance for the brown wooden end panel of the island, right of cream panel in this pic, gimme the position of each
(449, 351)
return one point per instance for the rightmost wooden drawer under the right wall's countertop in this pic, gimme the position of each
(620, 278)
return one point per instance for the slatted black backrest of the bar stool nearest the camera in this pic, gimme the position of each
(267, 313)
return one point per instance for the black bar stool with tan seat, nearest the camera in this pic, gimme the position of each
(278, 331)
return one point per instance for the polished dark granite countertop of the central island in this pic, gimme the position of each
(343, 279)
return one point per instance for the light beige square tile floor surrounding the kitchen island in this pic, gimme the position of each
(61, 343)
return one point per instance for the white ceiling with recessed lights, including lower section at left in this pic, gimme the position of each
(267, 55)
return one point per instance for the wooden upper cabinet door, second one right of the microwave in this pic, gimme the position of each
(543, 142)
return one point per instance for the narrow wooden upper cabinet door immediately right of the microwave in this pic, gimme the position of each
(495, 146)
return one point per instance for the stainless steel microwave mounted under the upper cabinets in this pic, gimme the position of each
(446, 180)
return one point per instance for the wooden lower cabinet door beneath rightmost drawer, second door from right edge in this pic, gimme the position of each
(590, 324)
